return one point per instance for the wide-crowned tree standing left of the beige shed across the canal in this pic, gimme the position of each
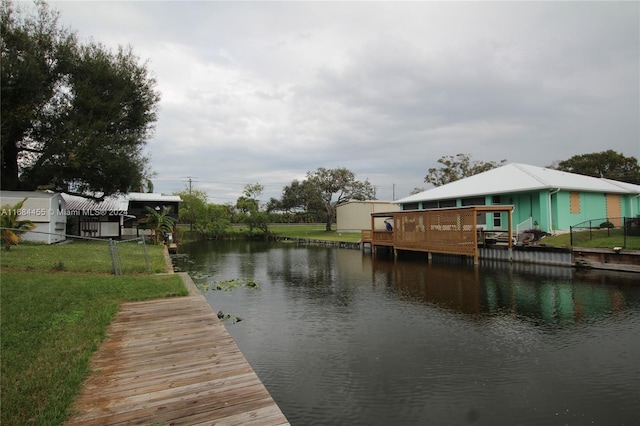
(324, 189)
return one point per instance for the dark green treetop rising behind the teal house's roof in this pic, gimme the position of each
(606, 164)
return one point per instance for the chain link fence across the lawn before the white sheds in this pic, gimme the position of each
(76, 253)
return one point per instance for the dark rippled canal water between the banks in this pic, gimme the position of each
(345, 338)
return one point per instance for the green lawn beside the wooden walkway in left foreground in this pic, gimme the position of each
(53, 319)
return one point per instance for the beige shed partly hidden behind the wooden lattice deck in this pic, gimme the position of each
(354, 216)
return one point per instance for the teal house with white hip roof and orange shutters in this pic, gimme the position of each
(547, 199)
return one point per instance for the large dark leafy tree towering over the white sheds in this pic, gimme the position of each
(75, 118)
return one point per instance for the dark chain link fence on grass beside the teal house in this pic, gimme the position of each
(616, 229)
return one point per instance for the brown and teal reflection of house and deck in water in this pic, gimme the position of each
(555, 295)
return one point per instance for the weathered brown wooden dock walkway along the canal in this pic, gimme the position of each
(172, 362)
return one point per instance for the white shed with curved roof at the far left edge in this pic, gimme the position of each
(46, 210)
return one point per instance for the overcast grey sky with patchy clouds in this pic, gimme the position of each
(262, 92)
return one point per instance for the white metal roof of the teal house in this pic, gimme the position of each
(516, 177)
